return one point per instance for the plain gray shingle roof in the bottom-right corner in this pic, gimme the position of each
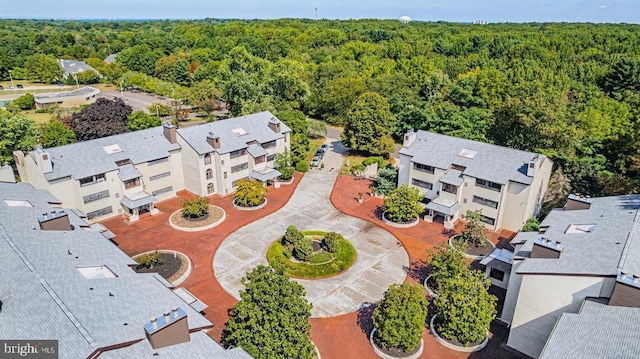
(599, 331)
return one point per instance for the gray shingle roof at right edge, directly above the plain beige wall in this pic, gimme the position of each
(599, 252)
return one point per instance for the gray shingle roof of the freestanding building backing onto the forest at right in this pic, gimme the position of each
(493, 163)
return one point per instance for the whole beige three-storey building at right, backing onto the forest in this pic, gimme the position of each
(456, 175)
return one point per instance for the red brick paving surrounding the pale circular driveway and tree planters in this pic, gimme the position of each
(338, 337)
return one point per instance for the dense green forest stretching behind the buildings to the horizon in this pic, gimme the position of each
(570, 91)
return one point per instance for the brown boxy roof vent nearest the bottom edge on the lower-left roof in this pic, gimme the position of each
(168, 329)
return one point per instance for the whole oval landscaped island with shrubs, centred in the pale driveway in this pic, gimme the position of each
(312, 254)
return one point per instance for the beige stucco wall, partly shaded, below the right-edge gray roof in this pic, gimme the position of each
(540, 302)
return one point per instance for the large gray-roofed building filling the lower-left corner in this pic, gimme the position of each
(64, 281)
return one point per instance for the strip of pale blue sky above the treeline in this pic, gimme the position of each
(427, 10)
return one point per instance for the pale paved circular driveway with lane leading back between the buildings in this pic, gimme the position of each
(381, 258)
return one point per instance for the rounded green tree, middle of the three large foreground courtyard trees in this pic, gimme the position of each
(399, 318)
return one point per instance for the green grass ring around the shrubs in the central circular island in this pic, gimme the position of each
(321, 264)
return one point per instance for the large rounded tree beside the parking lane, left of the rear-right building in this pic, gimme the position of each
(370, 125)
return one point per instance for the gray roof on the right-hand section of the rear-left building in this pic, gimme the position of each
(255, 126)
